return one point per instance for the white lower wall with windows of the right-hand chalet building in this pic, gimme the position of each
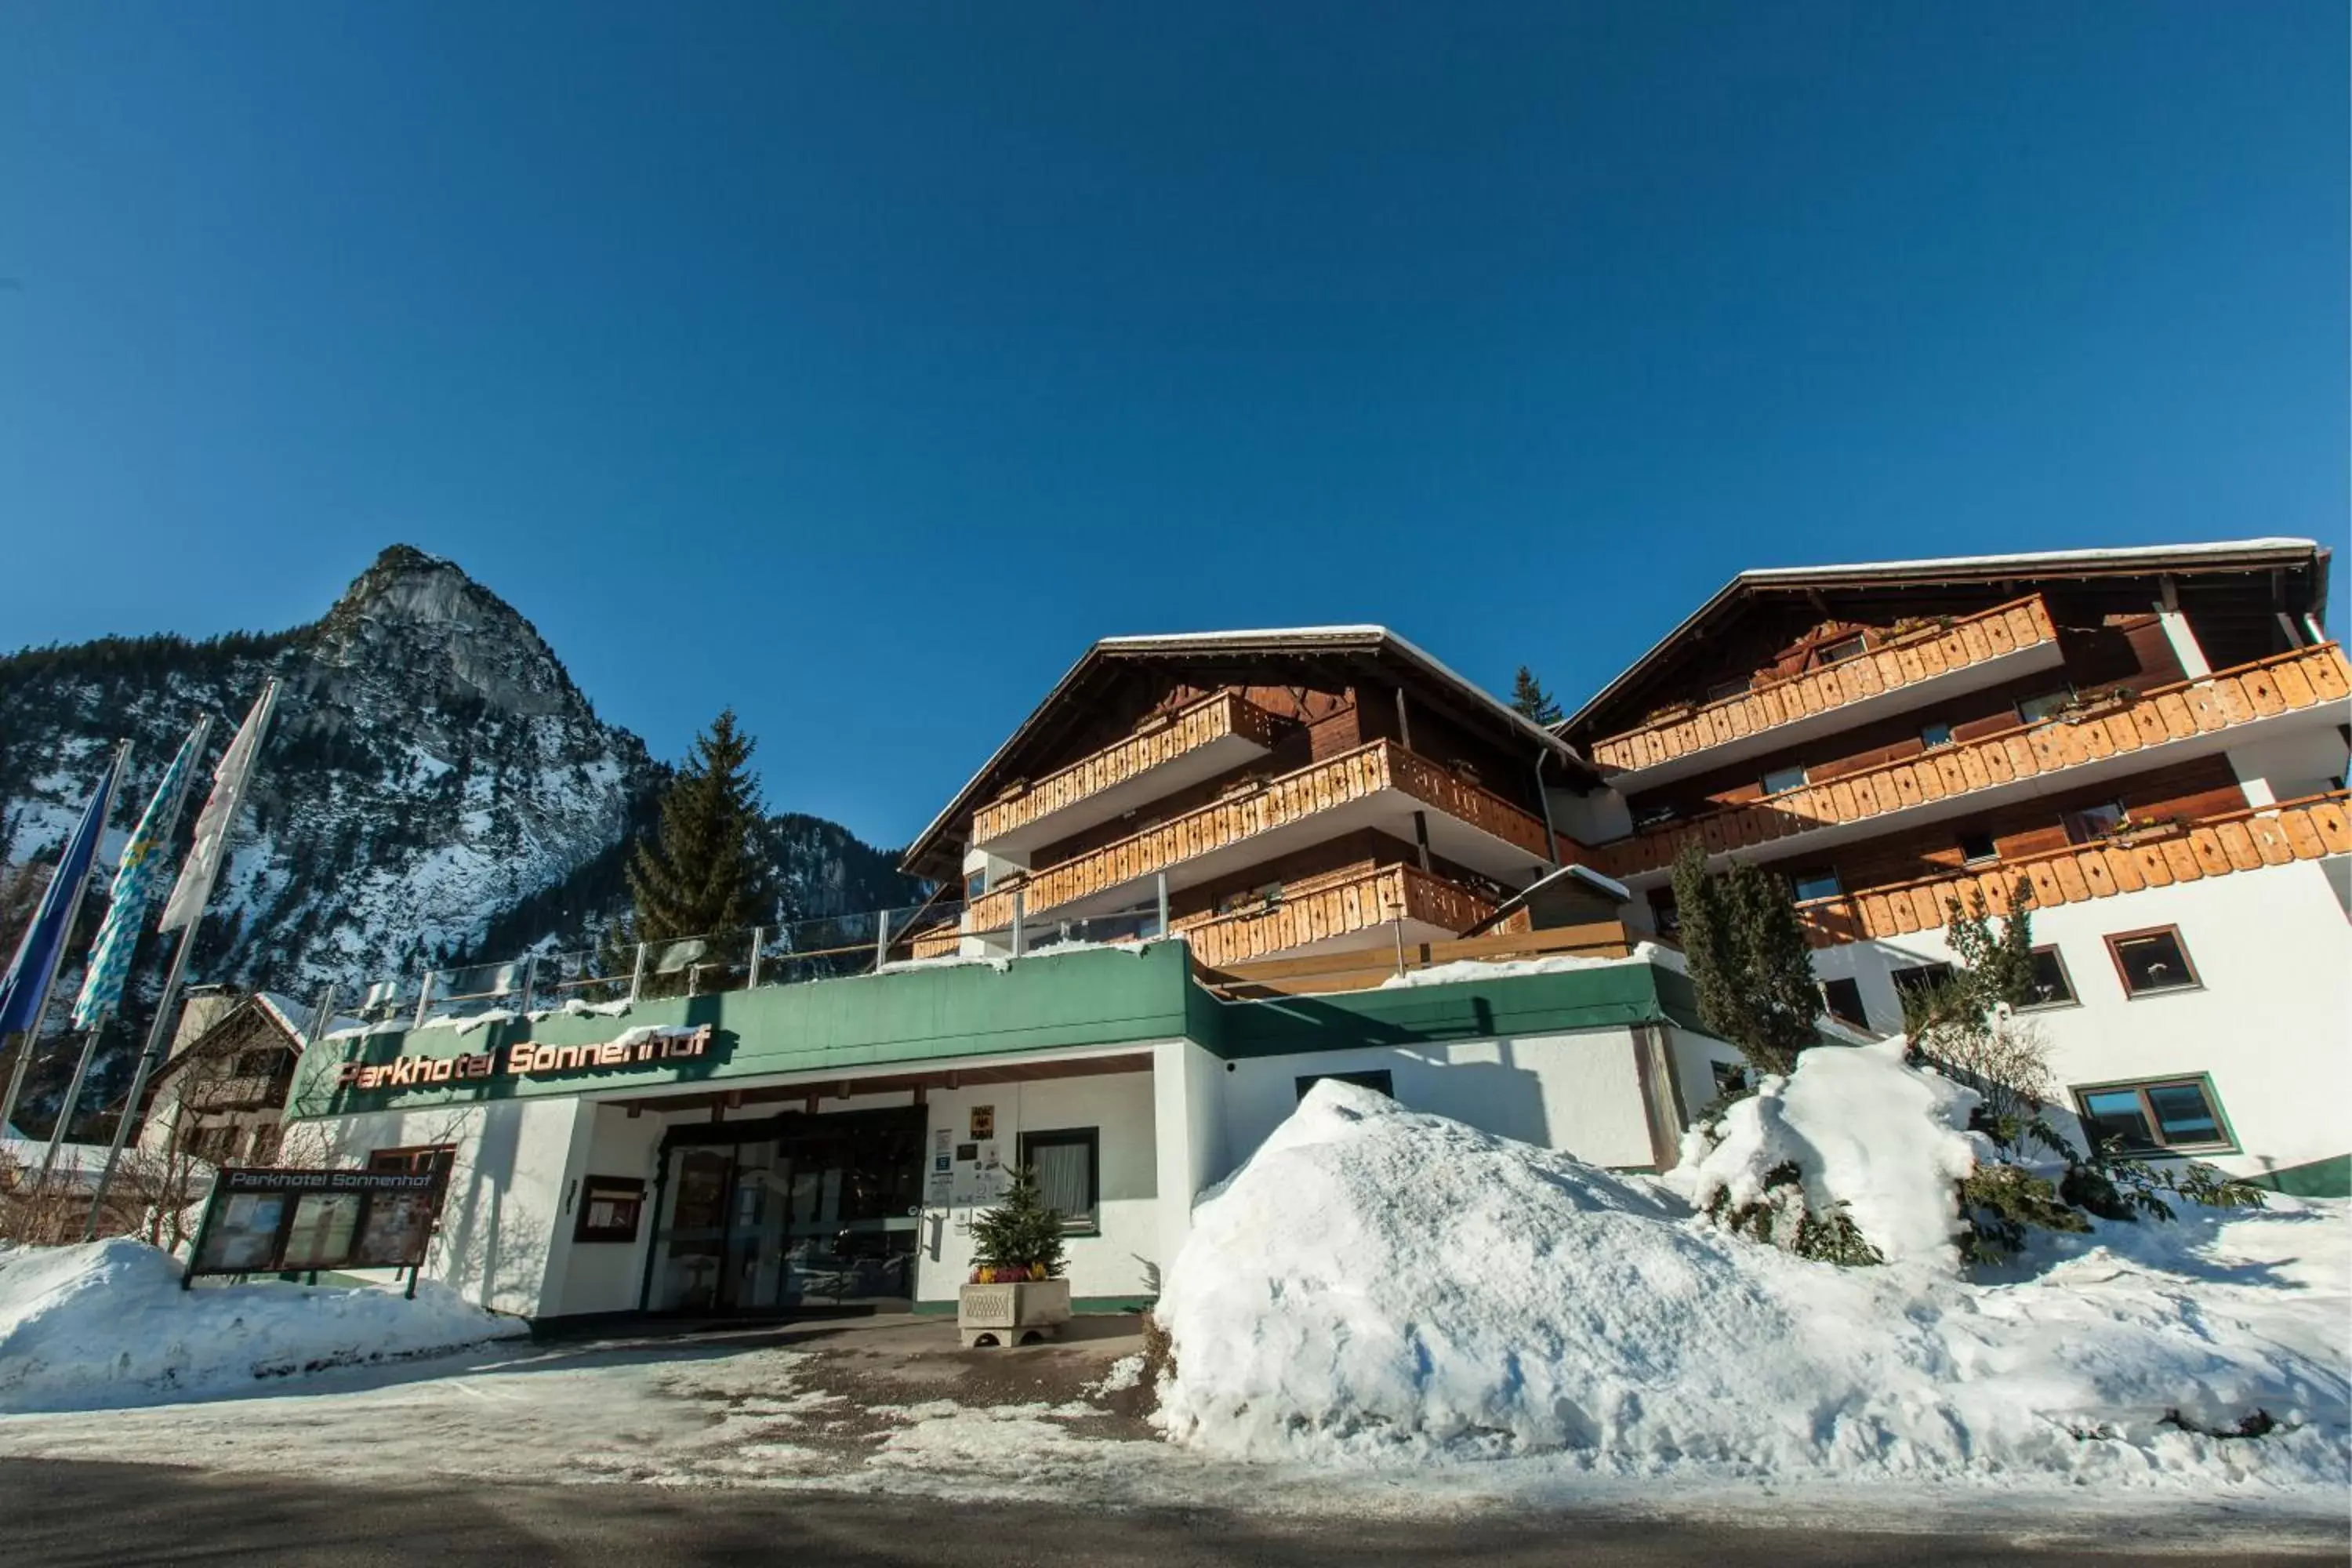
(2271, 1024)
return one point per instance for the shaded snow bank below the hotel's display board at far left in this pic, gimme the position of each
(107, 1325)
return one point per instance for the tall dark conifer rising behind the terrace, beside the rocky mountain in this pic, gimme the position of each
(702, 871)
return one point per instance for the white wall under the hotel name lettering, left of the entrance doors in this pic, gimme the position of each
(500, 1221)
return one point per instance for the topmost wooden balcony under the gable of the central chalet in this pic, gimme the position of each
(1182, 749)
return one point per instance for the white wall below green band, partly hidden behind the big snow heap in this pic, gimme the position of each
(1563, 1092)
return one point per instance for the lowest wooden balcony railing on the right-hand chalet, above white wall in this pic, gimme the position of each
(2123, 864)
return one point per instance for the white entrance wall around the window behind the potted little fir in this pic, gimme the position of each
(1125, 1257)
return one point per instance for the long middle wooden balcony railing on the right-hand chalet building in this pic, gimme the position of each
(2207, 704)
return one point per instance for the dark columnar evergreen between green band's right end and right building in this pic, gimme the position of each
(1749, 960)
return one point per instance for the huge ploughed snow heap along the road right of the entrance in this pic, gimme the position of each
(1382, 1285)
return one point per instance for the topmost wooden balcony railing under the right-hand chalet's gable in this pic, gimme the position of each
(1887, 666)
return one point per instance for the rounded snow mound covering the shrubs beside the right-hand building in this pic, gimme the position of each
(1866, 1132)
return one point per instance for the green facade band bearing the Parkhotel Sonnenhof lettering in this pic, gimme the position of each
(1053, 1003)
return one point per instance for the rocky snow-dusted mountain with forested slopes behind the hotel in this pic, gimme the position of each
(434, 786)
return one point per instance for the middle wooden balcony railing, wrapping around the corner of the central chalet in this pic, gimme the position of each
(1321, 786)
